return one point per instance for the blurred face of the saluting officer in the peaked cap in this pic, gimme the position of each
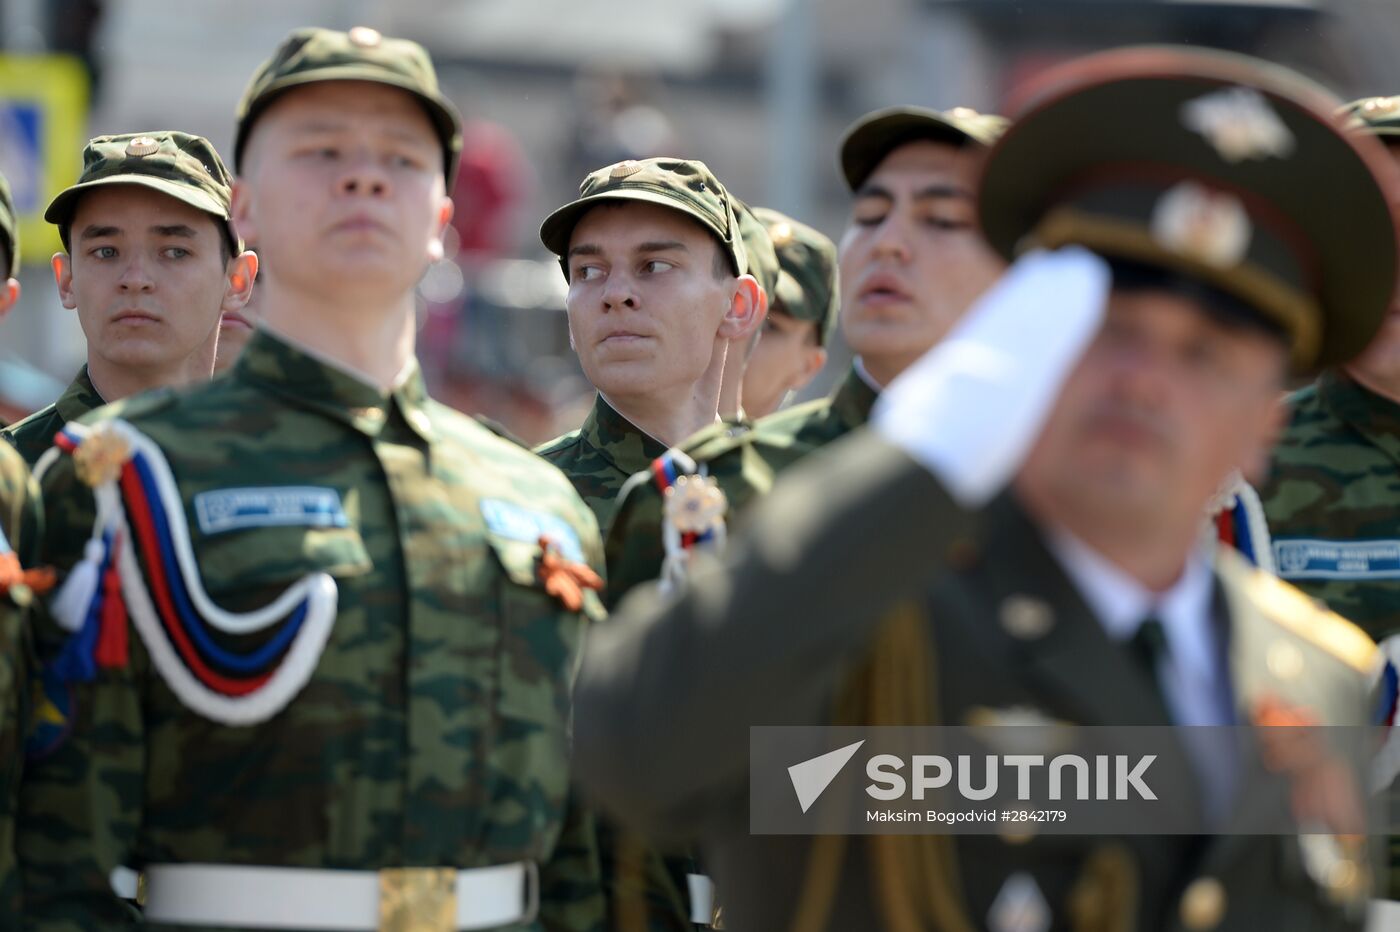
(1164, 405)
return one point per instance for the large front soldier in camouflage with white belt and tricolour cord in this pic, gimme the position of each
(387, 744)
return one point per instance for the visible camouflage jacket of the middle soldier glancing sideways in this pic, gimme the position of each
(601, 456)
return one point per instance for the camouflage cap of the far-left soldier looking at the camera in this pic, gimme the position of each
(176, 164)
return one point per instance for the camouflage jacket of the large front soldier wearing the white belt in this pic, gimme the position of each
(435, 726)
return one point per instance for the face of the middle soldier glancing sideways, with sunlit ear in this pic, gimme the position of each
(646, 306)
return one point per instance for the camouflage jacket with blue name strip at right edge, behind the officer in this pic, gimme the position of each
(1333, 502)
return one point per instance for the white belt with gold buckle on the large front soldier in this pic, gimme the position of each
(342, 901)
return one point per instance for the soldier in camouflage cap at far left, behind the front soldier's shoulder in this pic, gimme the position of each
(150, 264)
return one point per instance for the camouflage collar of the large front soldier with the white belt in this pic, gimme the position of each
(292, 373)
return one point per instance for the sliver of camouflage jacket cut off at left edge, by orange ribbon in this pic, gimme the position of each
(20, 524)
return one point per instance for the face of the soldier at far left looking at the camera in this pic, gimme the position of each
(146, 275)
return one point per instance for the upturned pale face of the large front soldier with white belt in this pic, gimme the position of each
(344, 192)
